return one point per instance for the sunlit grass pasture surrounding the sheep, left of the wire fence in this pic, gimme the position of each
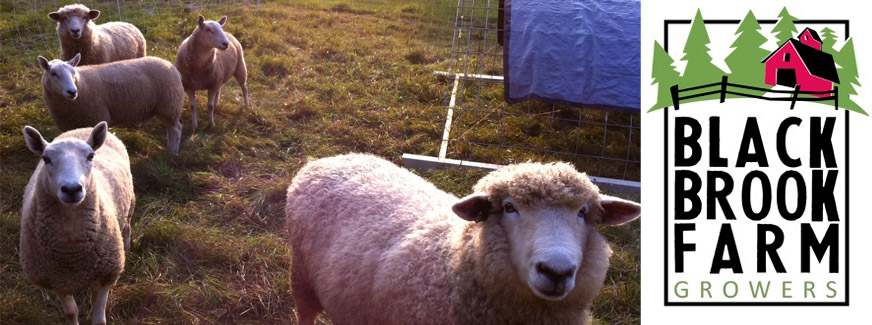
(208, 241)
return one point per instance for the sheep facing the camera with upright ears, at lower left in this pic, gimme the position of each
(75, 220)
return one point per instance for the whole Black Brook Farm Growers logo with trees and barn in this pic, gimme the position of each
(757, 161)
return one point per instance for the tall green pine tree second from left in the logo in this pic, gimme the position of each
(699, 69)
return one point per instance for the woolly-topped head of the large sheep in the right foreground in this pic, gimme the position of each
(546, 213)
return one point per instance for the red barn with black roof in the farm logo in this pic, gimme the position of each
(801, 62)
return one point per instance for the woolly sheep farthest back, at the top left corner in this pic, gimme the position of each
(104, 43)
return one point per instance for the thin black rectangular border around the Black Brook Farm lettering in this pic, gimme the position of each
(666, 301)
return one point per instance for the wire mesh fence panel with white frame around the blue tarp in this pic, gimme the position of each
(482, 127)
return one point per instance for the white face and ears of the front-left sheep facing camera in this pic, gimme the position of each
(66, 163)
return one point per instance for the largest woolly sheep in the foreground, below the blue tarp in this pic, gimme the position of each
(372, 243)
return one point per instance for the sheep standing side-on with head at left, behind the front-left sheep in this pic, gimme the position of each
(122, 93)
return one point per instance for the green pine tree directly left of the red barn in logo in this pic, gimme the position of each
(744, 61)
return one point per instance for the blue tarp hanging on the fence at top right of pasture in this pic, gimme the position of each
(583, 53)
